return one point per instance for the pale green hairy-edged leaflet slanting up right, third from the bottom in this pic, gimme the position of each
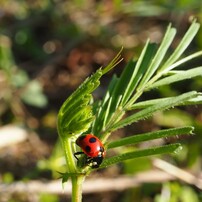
(150, 110)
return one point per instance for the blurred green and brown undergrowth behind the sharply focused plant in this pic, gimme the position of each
(48, 47)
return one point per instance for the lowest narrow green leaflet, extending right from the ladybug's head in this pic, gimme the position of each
(141, 153)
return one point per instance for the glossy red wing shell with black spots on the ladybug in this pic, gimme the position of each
(91, 145)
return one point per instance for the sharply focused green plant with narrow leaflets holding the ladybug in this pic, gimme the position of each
(79, 114)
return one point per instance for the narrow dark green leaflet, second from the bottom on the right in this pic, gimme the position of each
(150, 136)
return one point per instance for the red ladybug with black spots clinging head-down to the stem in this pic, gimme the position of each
(93, 148)
